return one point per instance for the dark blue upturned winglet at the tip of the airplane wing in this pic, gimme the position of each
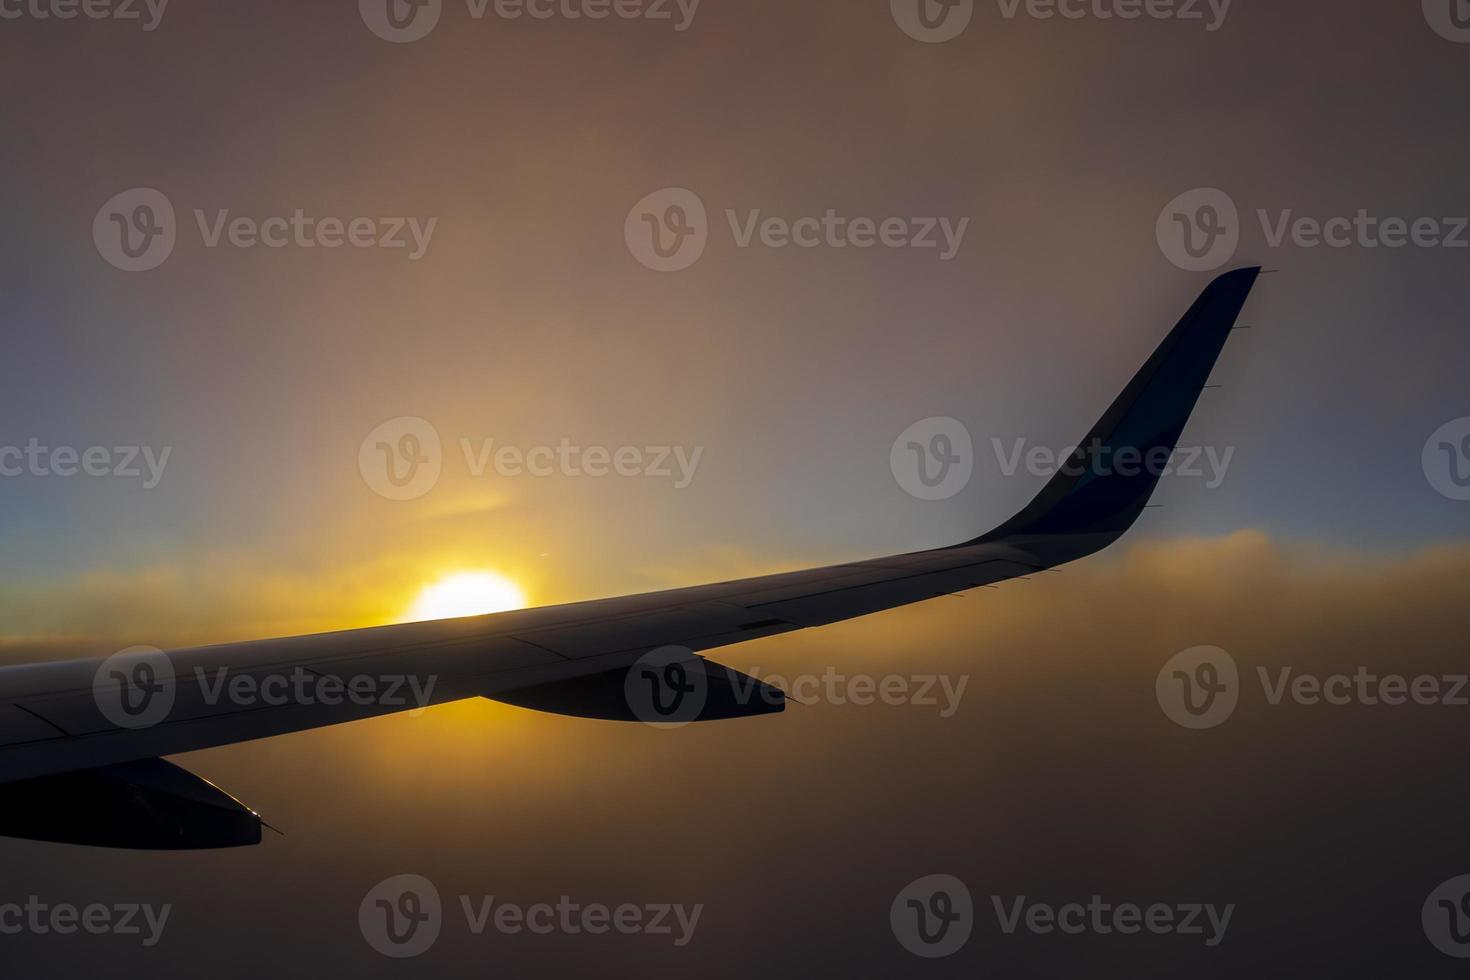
(1106, 484)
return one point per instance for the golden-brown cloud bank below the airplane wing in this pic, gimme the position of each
(1059, 778)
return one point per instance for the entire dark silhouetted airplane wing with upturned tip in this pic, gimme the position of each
(82, 743)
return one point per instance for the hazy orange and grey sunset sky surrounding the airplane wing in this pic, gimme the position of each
(761, 389)
